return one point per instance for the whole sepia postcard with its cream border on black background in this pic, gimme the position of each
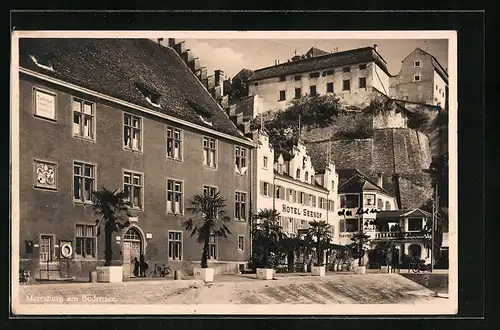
(225, 172)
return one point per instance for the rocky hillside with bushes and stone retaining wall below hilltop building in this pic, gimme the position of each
(374, 134)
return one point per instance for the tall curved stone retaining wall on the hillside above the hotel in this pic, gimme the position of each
(399, 153)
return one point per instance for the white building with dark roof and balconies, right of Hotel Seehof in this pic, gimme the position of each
(366, 206)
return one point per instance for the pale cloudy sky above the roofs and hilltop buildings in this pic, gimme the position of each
(232, 55)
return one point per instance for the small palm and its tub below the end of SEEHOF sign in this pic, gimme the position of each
(320, 232)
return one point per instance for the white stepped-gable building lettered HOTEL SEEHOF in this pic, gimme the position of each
(287, 182)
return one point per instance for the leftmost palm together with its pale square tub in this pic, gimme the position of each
(112, 208)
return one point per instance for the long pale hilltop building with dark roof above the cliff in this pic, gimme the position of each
(317, 73)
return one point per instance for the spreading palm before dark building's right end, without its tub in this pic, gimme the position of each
(210, 221)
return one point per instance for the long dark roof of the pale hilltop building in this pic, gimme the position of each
(366, 54)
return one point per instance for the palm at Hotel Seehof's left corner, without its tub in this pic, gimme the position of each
(268, 233)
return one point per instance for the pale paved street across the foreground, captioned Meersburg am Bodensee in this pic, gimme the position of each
(236, 289)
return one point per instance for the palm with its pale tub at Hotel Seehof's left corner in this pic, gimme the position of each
(267, 234)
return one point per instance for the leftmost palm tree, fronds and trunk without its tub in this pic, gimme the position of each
(112, 207)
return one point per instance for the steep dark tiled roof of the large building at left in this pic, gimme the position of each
(117, 67)
